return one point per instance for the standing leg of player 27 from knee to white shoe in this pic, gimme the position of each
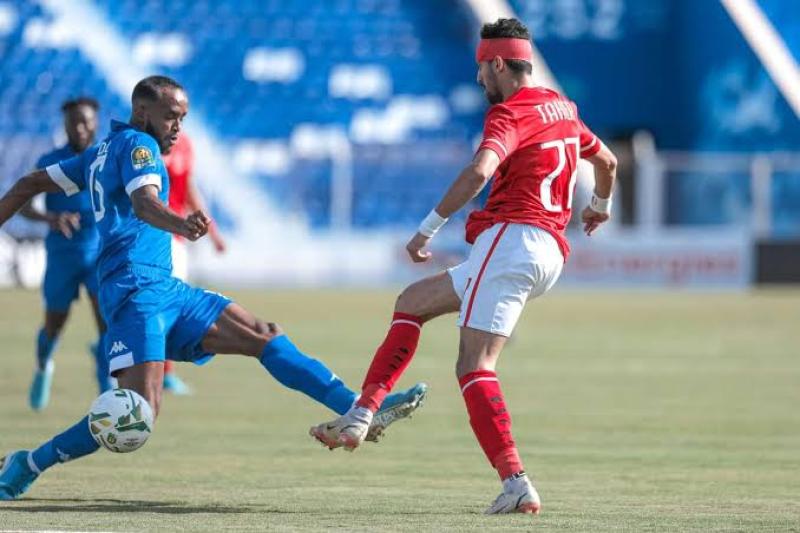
(491, 421)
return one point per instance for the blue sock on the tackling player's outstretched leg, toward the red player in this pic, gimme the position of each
(295, 370)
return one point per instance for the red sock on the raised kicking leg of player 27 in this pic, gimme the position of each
(391, 360)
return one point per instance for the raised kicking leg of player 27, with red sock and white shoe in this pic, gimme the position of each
(421, 301)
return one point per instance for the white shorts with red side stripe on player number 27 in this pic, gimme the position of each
(508, 265)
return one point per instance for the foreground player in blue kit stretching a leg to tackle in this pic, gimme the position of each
(151, 315)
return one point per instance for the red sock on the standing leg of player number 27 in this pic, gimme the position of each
(490, 421)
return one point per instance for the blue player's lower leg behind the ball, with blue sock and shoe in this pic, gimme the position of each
(18, 470)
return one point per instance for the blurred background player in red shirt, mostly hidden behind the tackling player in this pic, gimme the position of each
(183, 198)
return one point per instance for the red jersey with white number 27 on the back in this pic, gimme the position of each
(539, 138)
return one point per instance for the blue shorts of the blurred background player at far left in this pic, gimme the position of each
(68, 269)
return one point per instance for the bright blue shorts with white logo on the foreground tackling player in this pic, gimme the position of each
(152, 316)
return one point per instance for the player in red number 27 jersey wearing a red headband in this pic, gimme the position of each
(531, 145)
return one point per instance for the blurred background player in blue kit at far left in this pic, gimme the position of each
(72, 245)
